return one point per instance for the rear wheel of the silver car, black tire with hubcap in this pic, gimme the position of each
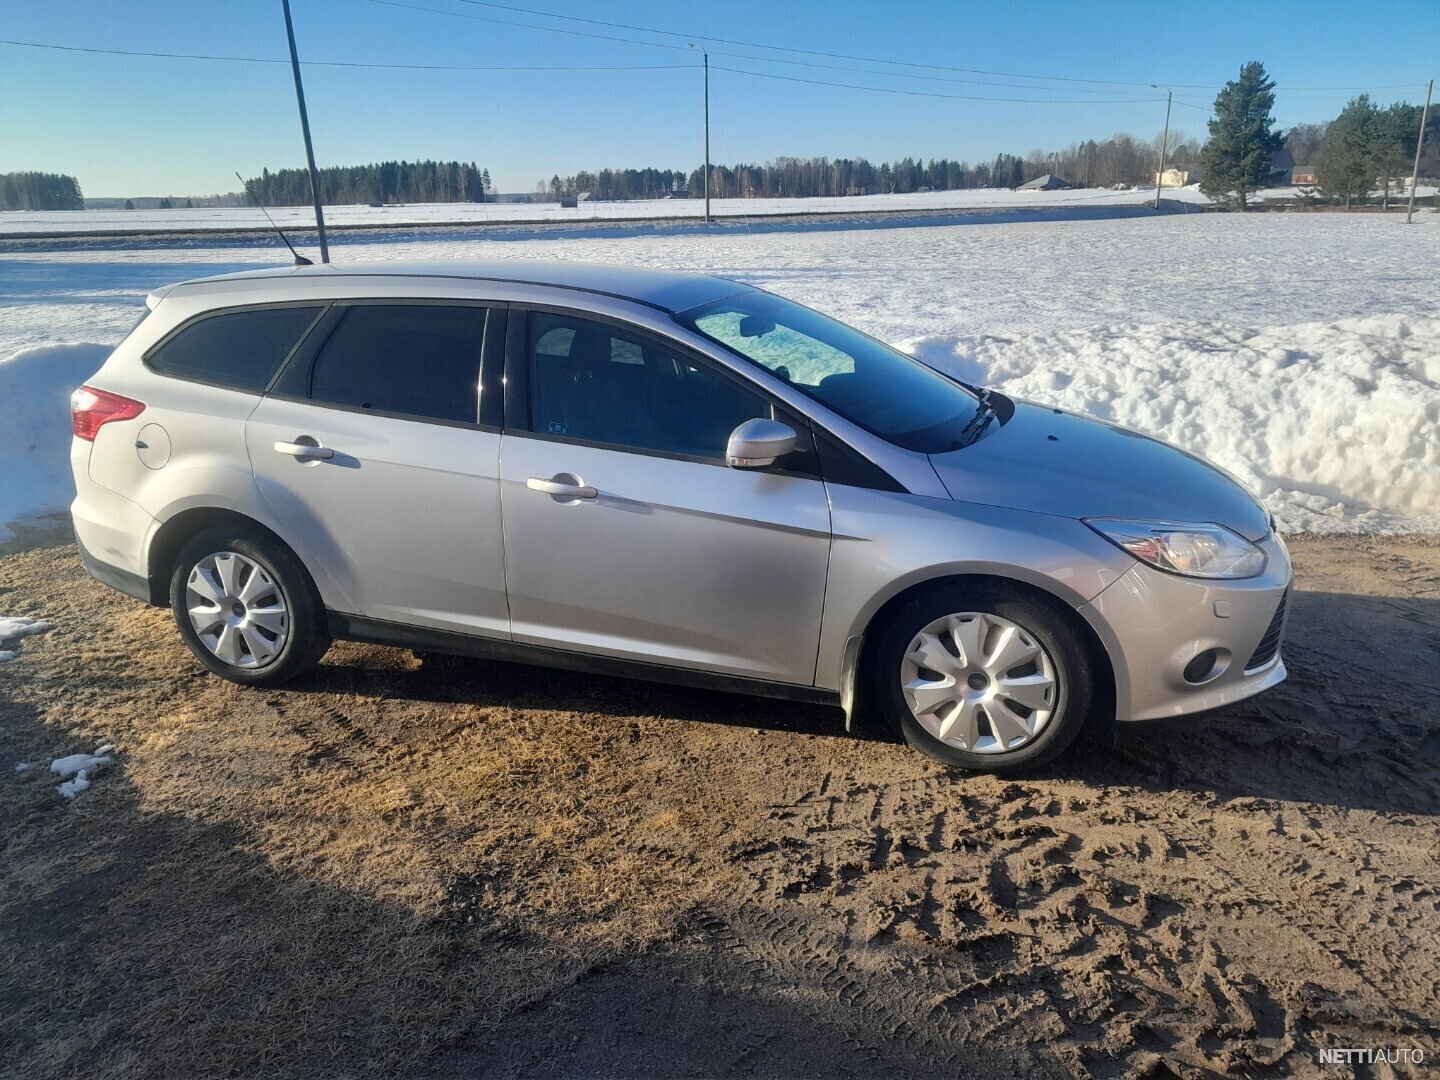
(264, 630)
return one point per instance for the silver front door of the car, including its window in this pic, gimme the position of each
(665, 554)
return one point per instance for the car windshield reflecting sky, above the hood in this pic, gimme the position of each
(866, 382)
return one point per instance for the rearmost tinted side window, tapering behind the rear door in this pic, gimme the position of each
(240, 349)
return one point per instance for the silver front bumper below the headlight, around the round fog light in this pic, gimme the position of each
(1154, 624)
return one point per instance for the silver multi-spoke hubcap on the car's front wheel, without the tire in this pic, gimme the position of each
(980, 683)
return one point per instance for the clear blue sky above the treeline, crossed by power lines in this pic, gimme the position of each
(142, 126)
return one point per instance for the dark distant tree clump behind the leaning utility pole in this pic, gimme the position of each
(388, 182)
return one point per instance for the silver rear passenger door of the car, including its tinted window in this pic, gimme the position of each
(374, 453)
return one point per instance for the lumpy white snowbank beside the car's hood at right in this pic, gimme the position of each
(1337, 426)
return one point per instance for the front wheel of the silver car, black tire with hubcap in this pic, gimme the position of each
(1010, 686)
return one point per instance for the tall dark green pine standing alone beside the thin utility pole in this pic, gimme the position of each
(1242, 146)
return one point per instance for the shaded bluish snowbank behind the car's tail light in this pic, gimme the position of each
(35, 428)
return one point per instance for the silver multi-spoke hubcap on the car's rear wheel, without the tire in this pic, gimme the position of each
(237, 610)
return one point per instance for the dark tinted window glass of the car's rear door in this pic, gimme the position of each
(418, 361)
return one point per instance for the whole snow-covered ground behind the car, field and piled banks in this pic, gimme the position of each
(1301, 352)
